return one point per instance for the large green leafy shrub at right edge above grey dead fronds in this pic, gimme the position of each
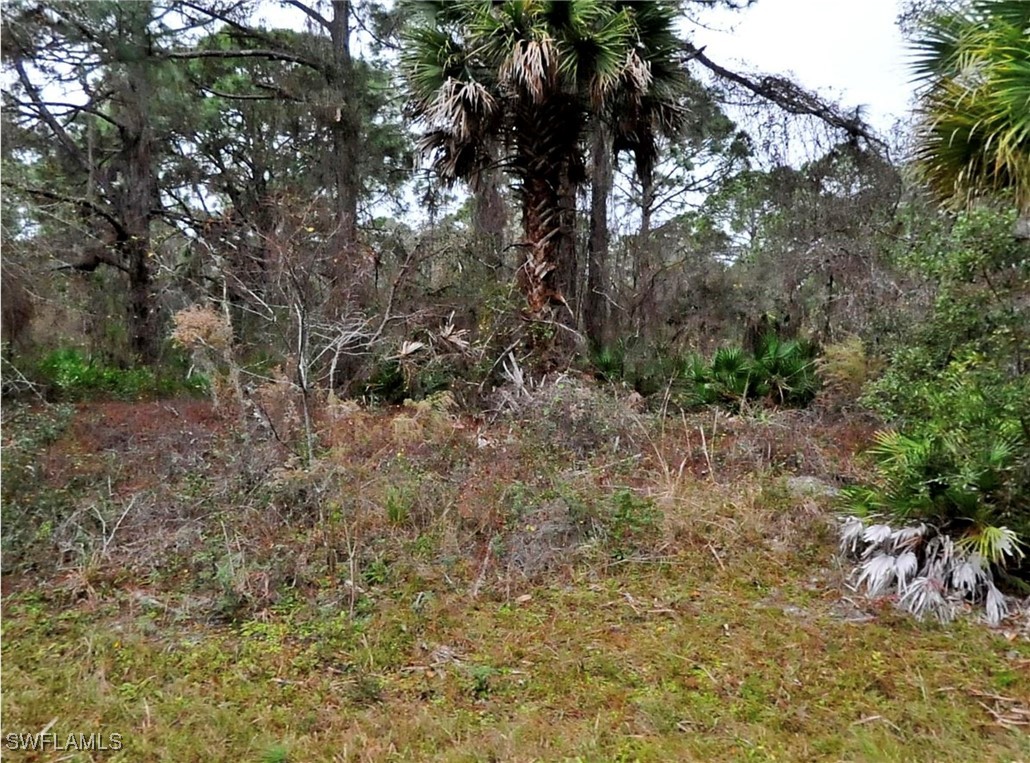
(957, 394)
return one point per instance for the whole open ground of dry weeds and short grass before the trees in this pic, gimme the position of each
(449, 589)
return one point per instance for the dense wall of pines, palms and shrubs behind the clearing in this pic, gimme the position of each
(166, 161)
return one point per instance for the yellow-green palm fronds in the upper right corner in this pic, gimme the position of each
(975, 137)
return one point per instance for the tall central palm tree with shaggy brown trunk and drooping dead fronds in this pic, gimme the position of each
(520, 83)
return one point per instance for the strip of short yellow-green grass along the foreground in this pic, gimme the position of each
(653, 664)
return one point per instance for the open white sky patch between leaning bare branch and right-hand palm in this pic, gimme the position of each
(849, 50)
